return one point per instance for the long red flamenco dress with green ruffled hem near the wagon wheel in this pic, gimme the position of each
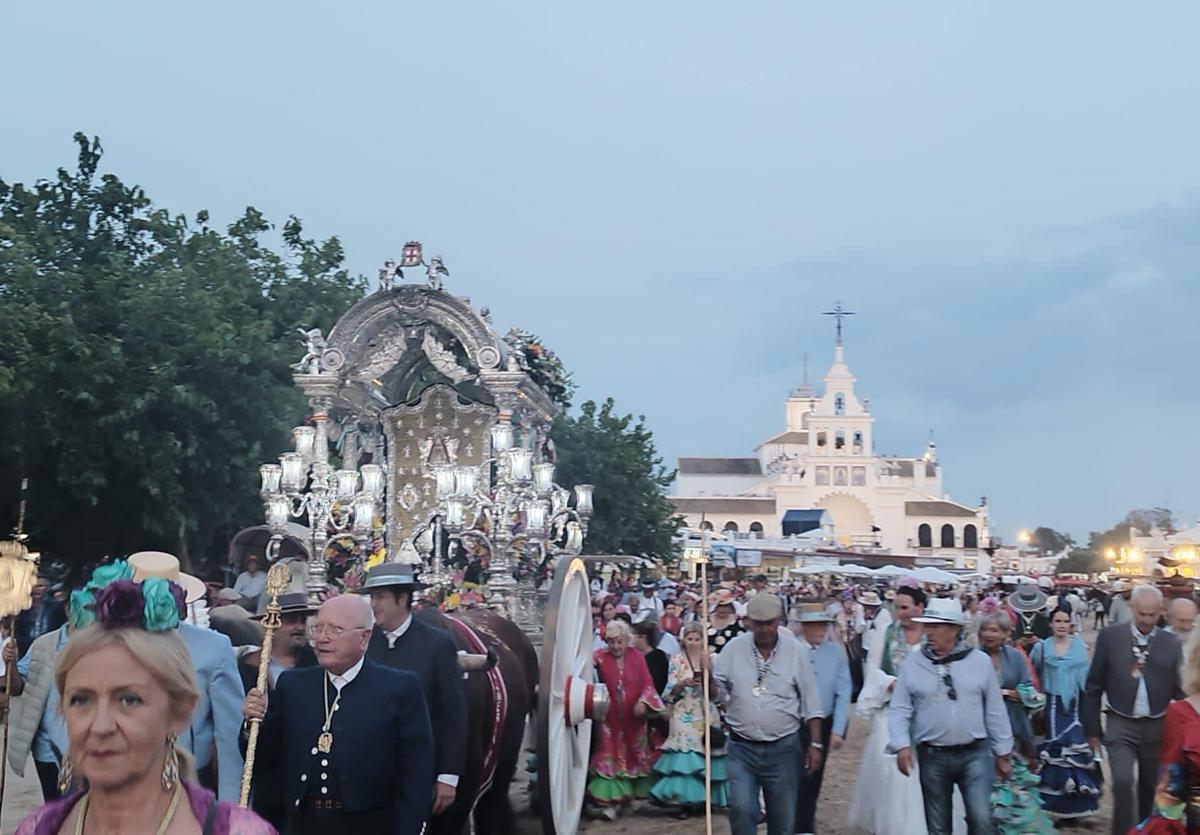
(622, 766)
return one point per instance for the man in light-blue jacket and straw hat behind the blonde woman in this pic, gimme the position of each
(217, 720)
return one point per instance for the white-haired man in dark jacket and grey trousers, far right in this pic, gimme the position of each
(1137, 666)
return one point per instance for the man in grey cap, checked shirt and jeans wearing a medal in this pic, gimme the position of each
(766, 682)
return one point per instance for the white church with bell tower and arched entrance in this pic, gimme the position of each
(823, 471)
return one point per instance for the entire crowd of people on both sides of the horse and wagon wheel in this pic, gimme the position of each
(983, 710)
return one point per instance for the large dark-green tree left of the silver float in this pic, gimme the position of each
(145, 362)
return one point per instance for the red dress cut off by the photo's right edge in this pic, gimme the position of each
(1178, 797)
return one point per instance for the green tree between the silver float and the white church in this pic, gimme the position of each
(633, 515)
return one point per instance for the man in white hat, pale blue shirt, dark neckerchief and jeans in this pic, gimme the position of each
(949, 694)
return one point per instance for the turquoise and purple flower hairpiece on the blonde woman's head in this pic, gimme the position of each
(113, 600)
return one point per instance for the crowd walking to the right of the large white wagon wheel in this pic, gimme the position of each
(983, 708)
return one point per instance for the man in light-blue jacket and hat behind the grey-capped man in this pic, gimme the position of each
(832, 671)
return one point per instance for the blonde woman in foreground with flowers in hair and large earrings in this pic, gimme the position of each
(127, 692)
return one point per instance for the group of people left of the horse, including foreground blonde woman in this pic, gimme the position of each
(137, 701)
